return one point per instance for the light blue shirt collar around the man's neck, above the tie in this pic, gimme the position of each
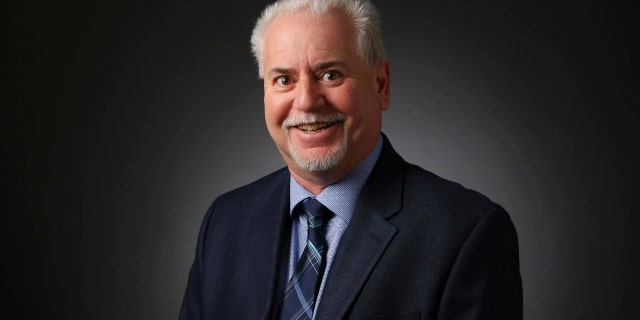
(342, 196)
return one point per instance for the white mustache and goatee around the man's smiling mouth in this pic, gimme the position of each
(322, 162)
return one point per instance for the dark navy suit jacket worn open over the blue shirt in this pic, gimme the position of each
(417, 247)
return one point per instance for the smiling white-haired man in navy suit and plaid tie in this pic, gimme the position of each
(348, 230)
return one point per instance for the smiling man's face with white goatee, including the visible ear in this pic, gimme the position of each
(323, 103)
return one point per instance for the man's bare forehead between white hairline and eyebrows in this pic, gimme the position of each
(305, 35)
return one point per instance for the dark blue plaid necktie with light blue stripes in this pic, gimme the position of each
(301, 291)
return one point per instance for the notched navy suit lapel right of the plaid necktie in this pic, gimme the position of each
(367, 236)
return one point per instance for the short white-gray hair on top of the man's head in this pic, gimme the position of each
(364, 16)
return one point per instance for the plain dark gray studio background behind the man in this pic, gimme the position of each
(122, 121)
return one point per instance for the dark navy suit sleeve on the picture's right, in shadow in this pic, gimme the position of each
(485, 280)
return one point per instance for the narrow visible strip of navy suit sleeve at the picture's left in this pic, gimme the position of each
(191, 308)
